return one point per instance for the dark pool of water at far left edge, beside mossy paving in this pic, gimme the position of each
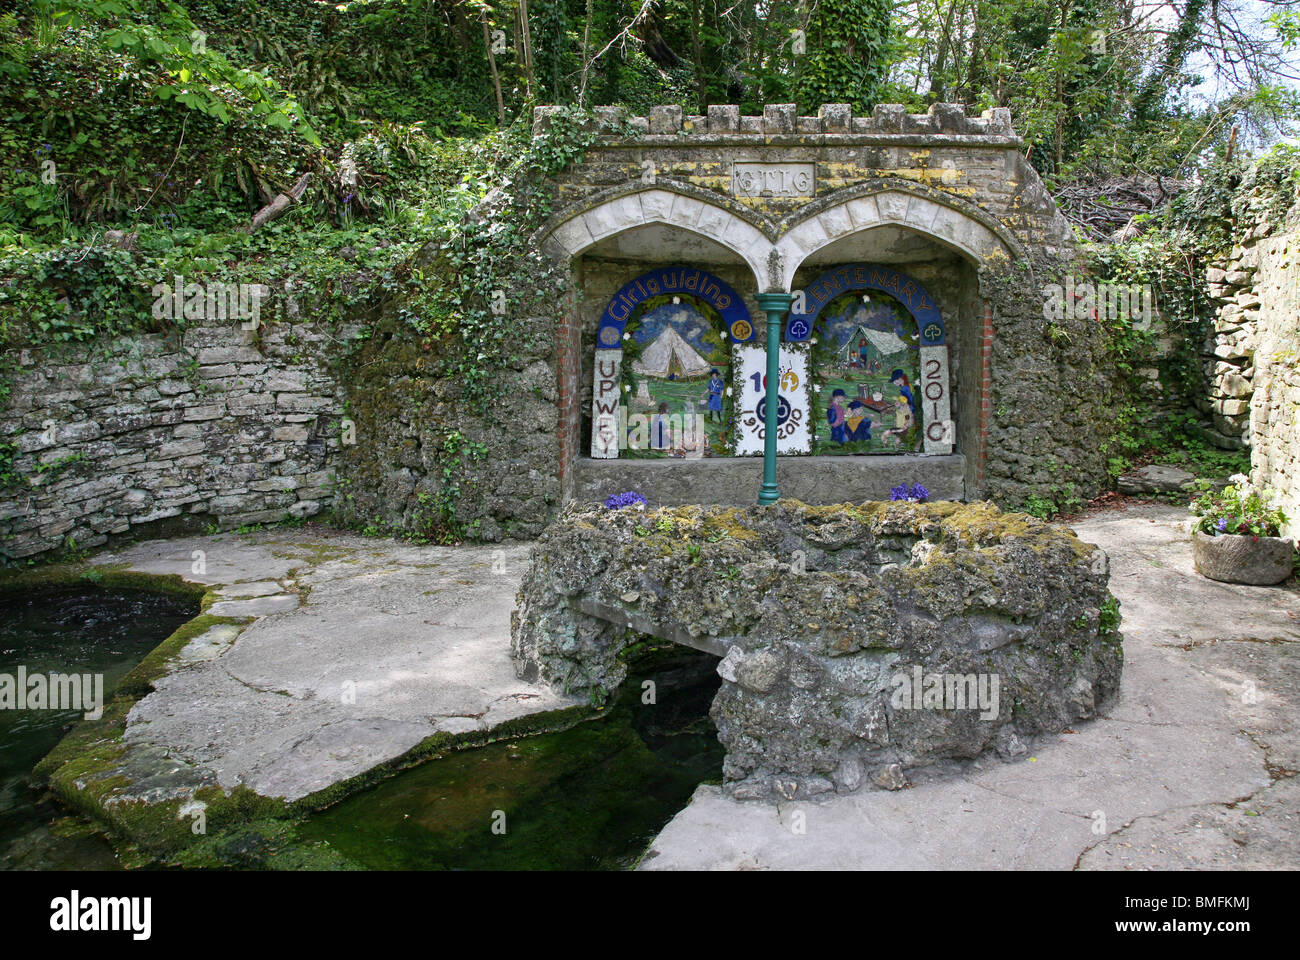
(86, 633)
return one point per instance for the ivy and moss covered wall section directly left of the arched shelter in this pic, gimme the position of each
(445, 356)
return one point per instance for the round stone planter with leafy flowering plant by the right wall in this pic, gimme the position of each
(1238, 535)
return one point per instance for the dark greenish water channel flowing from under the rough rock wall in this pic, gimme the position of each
(591, 798)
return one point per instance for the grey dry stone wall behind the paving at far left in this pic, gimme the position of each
(153, 434)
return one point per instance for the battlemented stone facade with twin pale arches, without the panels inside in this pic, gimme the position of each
(785, 194)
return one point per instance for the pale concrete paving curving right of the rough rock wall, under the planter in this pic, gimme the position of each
(1194, 768)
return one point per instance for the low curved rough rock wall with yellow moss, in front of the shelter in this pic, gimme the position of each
(830, 619)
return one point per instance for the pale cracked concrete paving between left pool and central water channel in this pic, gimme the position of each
(359, 651)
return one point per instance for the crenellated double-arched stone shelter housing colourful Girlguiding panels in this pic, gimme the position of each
(938, 215)
